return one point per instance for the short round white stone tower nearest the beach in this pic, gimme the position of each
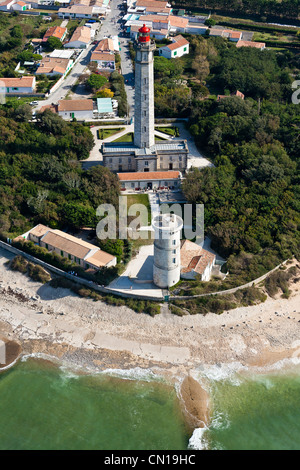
(166, 268)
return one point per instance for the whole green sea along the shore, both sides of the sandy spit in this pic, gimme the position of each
(46, 406)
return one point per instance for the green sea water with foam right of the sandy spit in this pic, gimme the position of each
(254, 412)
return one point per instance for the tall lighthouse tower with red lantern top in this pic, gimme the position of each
(144, 90)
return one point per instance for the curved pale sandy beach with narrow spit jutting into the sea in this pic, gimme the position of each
(94, 336)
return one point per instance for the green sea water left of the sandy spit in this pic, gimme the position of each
(43, 407)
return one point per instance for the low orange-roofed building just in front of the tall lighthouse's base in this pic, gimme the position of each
(150, 180)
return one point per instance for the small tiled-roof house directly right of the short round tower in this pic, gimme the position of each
(195, 261)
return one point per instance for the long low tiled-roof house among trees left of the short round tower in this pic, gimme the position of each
(80, 252)
